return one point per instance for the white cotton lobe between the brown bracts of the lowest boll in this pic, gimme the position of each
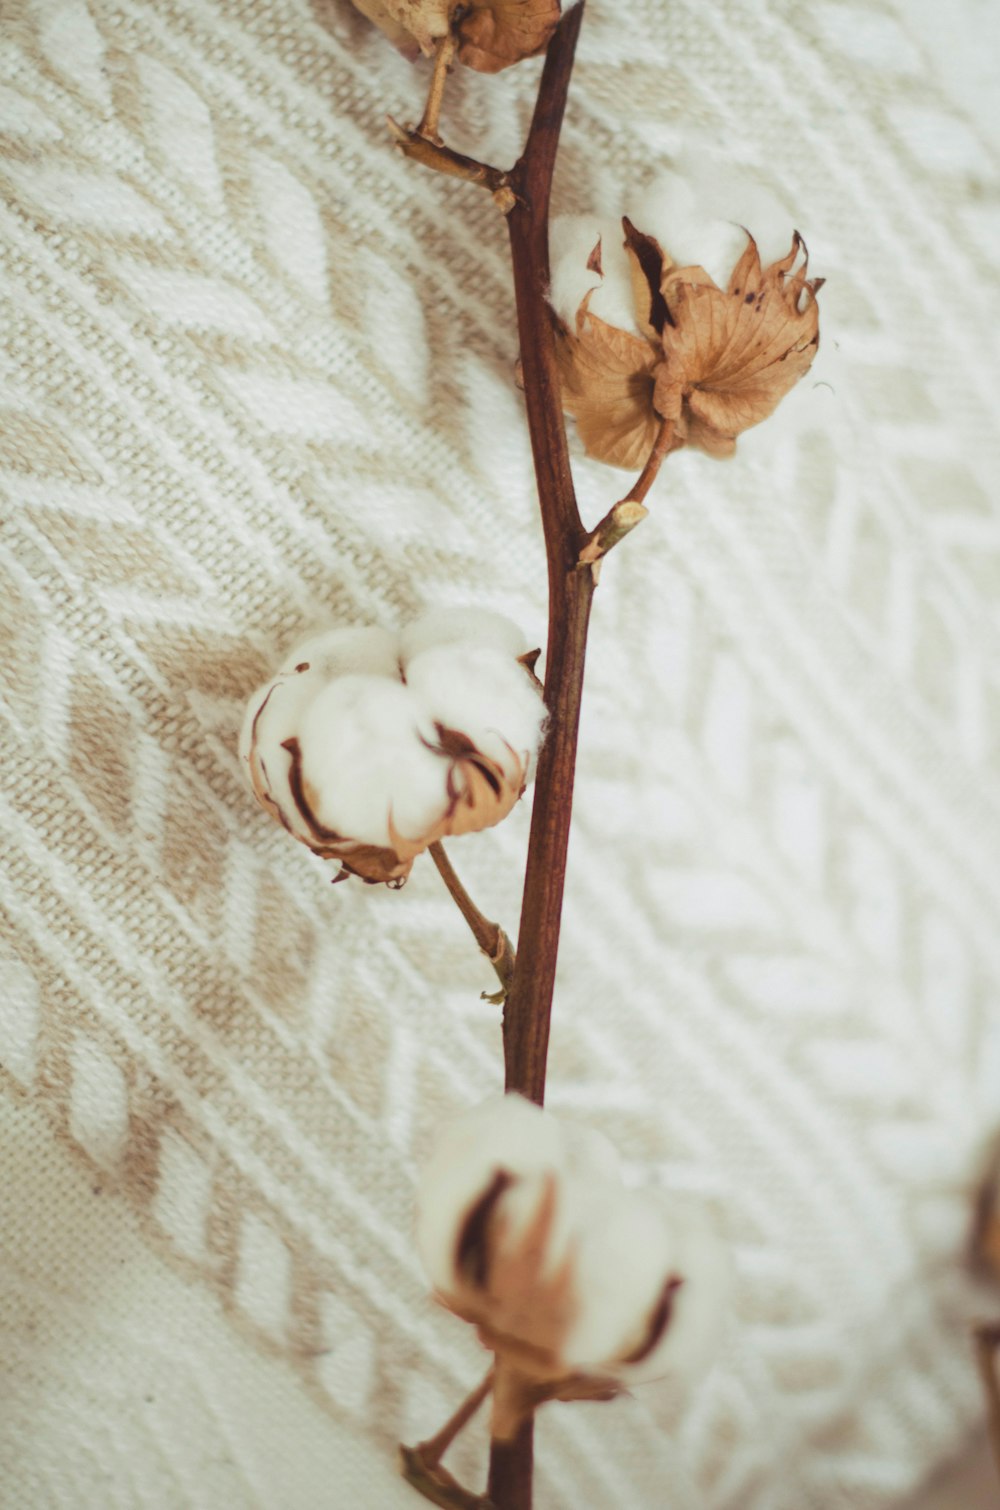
(622, 1266)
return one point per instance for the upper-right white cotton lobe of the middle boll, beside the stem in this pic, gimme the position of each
(484, 694)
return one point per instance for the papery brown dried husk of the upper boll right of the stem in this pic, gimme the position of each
(709, 362)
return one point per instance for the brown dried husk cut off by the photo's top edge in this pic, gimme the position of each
(490, 34)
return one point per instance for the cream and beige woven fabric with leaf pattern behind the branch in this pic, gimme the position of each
(256, 377)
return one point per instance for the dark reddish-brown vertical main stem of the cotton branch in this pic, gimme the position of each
(528, 1008)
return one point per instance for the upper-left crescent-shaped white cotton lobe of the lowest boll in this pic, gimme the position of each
(507, 1133)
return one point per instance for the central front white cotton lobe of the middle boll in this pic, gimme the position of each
(365, 765)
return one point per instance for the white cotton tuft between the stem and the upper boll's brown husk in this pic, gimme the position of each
(573, 239)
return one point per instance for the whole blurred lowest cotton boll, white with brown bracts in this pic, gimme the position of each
(575, 1283)
